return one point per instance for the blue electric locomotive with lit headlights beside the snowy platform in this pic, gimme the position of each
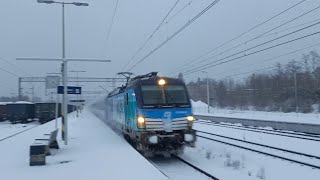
(153, 113)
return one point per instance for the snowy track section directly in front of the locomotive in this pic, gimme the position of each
(178, 168)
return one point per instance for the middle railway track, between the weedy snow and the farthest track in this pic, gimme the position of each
(284, 154)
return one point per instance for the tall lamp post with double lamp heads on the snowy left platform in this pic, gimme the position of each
(64, 63)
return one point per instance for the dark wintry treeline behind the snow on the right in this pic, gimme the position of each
(292, 87)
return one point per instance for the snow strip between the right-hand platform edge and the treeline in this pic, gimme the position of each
(200, 108)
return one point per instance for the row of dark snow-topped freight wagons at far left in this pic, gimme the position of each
(25, 112)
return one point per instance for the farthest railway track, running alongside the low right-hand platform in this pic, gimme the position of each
(297, 135)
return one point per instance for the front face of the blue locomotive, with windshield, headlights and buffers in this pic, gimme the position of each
(164, 116)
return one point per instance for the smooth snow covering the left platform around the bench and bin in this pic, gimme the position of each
(94, 152)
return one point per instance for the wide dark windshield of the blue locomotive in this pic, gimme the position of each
(164, 95)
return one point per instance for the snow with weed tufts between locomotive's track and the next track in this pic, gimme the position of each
(230, 163)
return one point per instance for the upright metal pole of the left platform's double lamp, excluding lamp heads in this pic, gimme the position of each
(65, 84)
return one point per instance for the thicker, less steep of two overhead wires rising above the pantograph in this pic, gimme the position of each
(176, 33)
